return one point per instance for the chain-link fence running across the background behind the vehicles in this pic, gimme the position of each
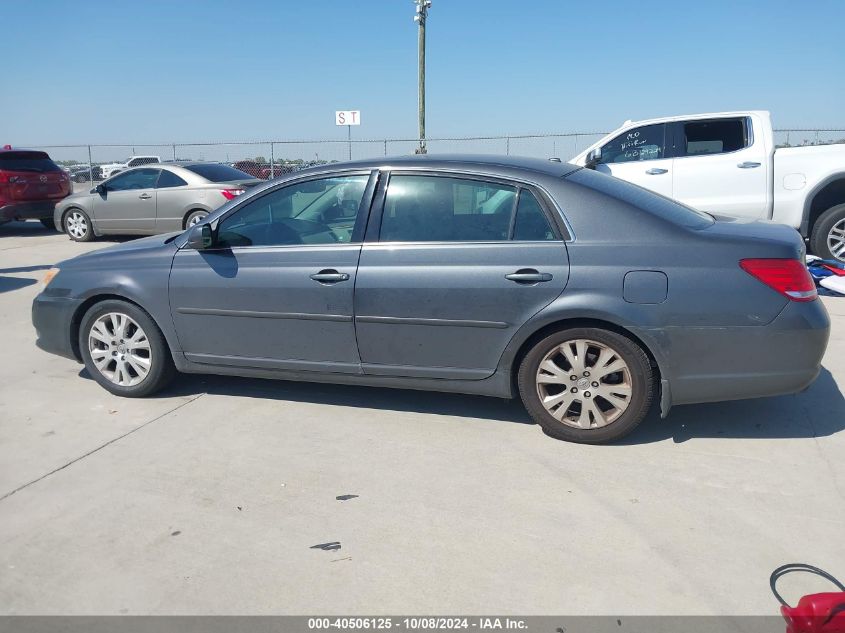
(270, 159)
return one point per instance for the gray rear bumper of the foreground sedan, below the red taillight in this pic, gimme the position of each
(733, 363)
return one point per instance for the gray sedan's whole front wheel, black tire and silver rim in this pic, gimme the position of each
(124, 350)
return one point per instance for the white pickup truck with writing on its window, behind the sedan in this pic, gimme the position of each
(726, 163)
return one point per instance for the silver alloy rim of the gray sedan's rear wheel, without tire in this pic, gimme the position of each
(584, 384)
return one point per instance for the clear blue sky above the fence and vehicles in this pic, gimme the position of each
(187, 70)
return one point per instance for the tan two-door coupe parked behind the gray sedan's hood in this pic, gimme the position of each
(149, 200)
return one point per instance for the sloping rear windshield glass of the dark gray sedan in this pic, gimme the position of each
(657, 205)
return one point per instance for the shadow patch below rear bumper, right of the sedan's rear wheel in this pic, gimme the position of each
(817, 412)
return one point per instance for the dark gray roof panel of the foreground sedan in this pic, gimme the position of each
(464, 162)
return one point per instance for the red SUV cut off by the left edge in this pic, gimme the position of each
(30, 186)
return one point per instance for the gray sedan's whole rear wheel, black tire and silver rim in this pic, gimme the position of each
(586, 385)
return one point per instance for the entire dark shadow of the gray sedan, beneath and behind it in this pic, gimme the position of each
(817, 412)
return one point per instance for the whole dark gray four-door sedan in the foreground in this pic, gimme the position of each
(586, 296)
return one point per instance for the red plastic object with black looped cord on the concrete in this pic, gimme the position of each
(814, 613)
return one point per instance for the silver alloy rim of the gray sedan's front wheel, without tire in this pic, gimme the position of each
(120, 349)
